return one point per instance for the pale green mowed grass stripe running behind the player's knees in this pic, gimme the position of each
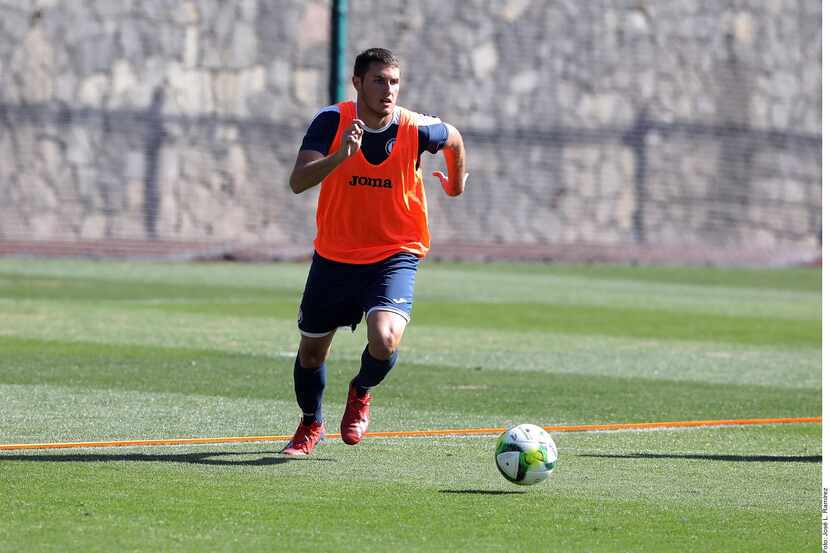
(507, 349)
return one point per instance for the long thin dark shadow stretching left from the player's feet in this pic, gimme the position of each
(208, 458)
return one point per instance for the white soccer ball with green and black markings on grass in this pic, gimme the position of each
(526, 454)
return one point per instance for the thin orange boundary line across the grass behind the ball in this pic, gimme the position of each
(421, 433)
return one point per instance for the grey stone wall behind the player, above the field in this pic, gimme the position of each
(616, 122)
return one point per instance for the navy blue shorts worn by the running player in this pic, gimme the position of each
(339, 294)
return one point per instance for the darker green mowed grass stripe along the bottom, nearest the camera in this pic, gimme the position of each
(389, 516)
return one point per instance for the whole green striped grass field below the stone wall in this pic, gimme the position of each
(110, 350)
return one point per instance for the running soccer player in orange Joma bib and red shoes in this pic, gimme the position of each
(371, 233)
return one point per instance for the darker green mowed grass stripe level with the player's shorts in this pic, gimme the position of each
(572, 318)
